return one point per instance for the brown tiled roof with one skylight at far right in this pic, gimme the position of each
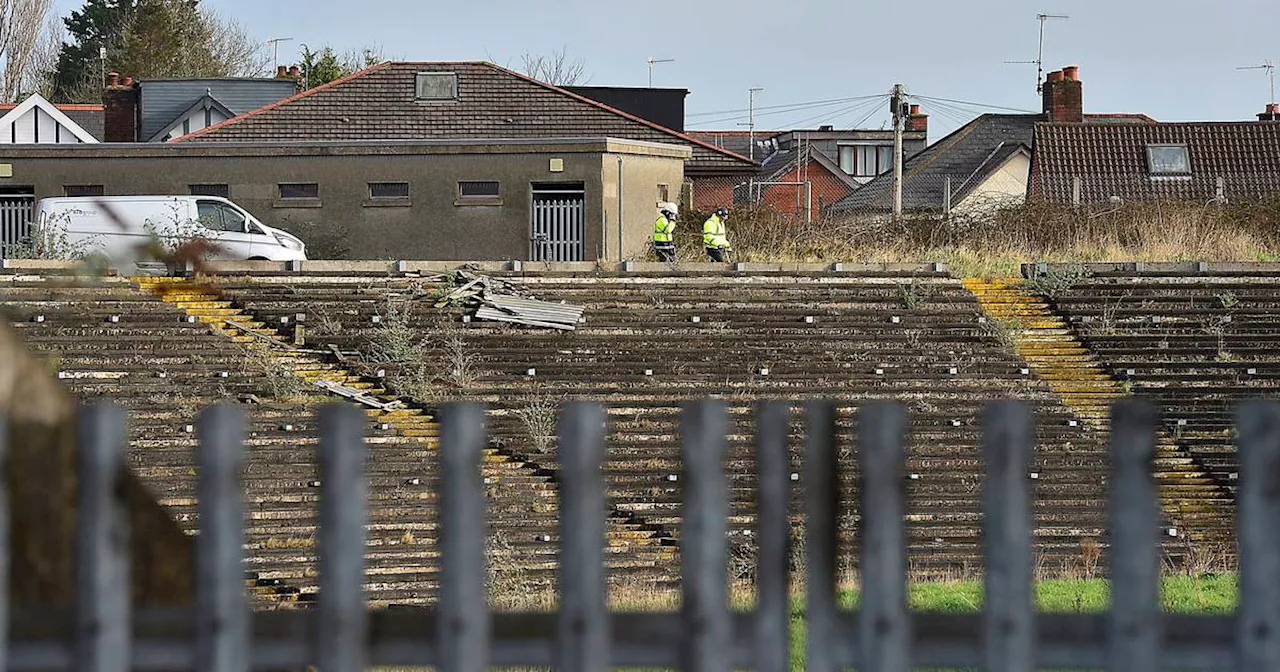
(1112, 161)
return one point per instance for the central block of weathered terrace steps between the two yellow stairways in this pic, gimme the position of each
(652, 341)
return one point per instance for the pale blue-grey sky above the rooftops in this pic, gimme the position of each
(1172, 60)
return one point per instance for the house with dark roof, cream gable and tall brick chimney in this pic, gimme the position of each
(986, 163)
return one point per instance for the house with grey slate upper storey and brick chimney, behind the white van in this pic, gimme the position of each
(159, 111)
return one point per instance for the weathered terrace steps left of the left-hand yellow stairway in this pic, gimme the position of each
(109, 341)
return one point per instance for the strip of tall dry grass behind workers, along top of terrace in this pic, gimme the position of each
(994, 243)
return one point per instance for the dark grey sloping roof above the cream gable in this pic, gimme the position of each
(967, 157)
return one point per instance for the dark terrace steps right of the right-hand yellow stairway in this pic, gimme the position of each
(1197, 339)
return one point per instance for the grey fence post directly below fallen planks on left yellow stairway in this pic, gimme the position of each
(342, 619)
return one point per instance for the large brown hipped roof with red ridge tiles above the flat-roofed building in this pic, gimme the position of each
(493, 103)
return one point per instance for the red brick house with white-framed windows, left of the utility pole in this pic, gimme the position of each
(804, 171)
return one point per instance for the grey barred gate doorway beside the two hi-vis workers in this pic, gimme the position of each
(559, 227)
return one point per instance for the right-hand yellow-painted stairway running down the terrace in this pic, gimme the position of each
(1196, 508)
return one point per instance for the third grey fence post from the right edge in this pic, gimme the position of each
(1009, 627)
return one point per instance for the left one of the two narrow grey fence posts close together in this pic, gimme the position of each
(774, 538)
